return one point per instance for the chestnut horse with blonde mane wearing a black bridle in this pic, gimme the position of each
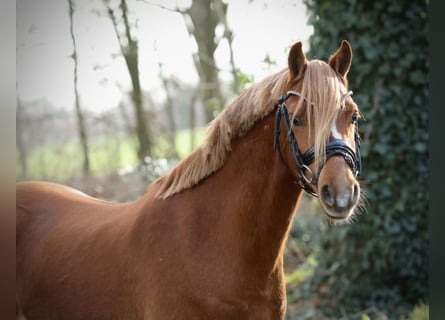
(206, 241)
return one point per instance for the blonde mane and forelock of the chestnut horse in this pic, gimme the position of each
(321, 87)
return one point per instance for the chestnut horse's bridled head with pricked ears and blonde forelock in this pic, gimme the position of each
(323, 131)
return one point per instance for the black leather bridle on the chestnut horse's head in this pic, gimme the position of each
(302, 161)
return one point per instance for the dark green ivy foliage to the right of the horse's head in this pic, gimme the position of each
(381, 259)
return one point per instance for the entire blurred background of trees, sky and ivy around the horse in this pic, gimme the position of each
(111, 94)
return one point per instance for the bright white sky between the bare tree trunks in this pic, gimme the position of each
(45, 71)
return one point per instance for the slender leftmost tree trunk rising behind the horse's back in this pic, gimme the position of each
(79, 115)
